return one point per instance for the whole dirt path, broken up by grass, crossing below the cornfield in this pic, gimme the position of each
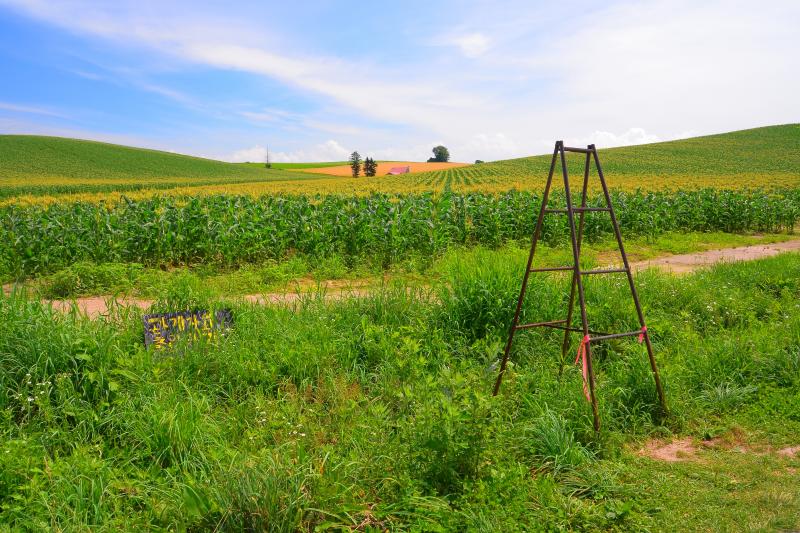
(95, 306)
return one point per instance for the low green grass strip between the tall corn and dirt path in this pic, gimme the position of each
(304, 274)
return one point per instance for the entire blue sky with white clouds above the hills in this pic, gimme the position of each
(315, 80)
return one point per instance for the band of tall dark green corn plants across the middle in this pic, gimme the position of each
(231, 230)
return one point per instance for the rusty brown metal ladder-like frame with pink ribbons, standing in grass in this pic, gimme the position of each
(576, 235)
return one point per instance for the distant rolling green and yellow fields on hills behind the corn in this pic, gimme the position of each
(46, 170)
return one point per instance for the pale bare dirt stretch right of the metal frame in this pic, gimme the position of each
(681, 264)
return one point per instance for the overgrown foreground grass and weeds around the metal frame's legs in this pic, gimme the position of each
(375, 414)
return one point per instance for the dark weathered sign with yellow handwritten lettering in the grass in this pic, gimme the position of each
(162, 329)
